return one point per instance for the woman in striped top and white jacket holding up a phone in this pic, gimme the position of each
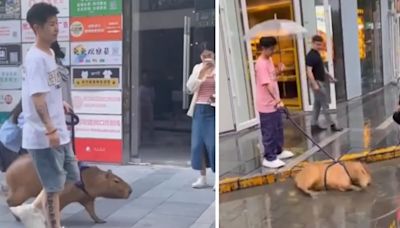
(202, 84)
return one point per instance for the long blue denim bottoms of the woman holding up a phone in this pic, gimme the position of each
(203, 137)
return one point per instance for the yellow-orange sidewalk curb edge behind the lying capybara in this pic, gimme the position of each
(237, 183)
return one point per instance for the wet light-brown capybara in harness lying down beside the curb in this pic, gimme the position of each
(311, 178)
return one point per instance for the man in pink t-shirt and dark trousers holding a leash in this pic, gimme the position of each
(268, 103)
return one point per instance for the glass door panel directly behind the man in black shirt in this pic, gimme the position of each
(317, 20)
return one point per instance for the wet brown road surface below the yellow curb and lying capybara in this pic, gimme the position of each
(282, 205)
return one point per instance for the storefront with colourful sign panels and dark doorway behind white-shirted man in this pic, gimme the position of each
(129, 63)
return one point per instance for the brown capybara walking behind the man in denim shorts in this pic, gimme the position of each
(24, 183)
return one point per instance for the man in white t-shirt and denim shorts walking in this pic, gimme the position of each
(45, 133)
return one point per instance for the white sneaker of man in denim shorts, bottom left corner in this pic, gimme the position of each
(31, 217)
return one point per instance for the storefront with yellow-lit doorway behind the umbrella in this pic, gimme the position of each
(357, 52)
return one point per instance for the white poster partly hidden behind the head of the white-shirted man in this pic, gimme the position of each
(63, 31)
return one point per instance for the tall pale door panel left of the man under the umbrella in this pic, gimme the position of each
(240, 78)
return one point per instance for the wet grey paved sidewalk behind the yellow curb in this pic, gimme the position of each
(367, 125)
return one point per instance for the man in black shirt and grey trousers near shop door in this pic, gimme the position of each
(319, 80)
